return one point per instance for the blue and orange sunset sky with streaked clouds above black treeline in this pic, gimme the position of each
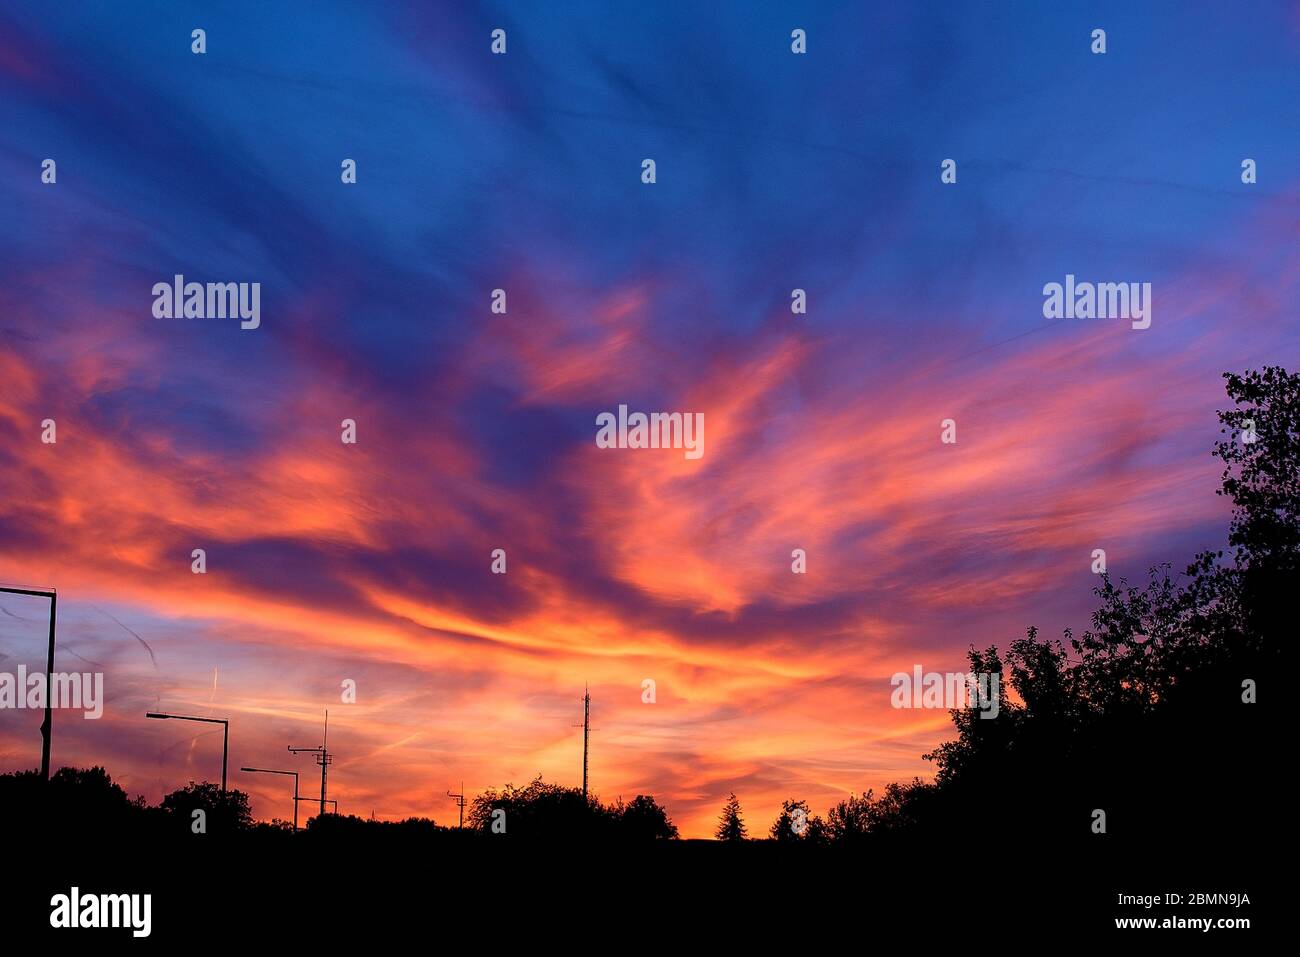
(476, 431)
